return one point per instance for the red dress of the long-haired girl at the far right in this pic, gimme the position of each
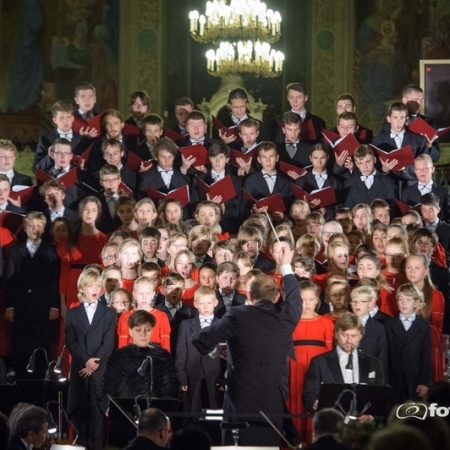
(437, 319)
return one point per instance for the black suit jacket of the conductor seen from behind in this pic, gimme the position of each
(259, 339)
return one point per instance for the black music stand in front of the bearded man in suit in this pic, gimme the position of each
(379, 397)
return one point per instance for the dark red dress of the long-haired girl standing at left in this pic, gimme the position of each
(73, 261)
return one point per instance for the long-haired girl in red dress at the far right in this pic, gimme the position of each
(417, 272)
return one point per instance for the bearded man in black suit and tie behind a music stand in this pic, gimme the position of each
(344, 364)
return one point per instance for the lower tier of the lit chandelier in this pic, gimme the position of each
(244, 57)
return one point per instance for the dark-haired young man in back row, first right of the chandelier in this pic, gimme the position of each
(297, 97)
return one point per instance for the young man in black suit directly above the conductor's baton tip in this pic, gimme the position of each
(268, 180)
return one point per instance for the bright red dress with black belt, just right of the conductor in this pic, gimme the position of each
(312, 337)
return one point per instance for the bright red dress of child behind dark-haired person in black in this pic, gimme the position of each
(160, 333)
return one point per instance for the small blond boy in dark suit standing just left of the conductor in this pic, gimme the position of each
(198, 374)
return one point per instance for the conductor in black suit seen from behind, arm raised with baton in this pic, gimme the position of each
(259, 338)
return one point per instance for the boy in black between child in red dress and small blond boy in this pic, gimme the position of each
(173, 307)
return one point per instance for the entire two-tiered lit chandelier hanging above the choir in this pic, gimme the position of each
(242, 31)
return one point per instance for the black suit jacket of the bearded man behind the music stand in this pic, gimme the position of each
(325, 368)
